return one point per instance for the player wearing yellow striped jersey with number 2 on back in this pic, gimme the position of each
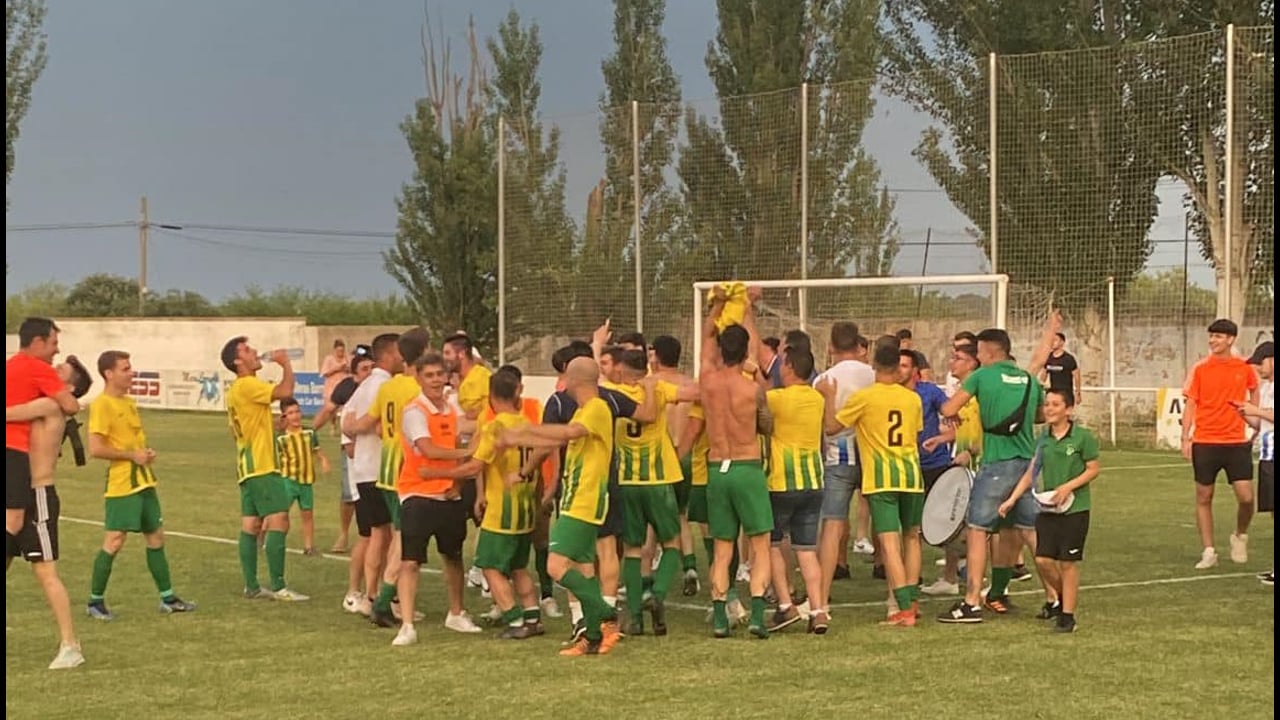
(888, 420)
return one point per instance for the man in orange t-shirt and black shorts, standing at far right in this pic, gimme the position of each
(1215, 439)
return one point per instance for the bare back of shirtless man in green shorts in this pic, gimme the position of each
(732, 404)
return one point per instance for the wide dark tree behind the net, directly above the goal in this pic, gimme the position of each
(742, 177)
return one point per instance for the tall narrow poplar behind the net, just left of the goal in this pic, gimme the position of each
(638, 71)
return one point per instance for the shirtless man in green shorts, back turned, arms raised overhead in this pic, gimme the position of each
(738, 494)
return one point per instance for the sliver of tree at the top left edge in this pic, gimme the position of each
(25, 49)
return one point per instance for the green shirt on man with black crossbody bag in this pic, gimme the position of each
(999, 389)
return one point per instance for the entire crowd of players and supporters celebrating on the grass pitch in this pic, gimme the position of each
(605, 485)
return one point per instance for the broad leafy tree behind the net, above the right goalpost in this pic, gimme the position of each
(1076, 175)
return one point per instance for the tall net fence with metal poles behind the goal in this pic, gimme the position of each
(1123, 198)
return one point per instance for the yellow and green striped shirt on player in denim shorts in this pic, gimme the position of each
(796, 446)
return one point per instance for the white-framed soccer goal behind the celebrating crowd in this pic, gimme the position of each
(934, 308)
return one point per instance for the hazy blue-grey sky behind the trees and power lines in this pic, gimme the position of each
(286, 115)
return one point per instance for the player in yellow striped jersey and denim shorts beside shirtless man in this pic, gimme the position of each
(796, 482)
